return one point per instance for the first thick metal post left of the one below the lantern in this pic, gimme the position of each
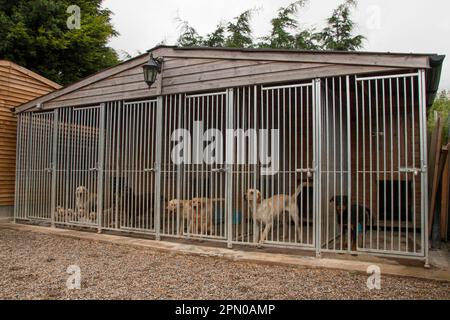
(100, 171)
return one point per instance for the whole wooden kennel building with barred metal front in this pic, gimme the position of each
(340, 137)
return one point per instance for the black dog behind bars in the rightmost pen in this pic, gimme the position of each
(359, 215)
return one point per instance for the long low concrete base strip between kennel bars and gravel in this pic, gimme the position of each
(438, 272)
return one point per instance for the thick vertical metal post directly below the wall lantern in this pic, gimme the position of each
(157, 168)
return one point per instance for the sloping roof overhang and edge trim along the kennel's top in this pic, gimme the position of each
(431, 62)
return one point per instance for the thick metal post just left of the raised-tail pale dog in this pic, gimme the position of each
(229, 169)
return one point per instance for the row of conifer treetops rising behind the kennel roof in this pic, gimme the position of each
(285, 32)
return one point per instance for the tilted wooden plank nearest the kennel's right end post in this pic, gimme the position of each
(434, 164)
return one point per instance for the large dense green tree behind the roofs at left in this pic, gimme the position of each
(34, 34)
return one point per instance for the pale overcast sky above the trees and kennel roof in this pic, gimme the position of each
(418, 26)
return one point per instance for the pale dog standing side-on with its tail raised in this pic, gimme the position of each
(269, 209)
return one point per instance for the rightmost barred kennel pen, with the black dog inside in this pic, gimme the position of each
(371, 189)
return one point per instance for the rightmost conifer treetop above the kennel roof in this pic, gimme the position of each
(338, 35)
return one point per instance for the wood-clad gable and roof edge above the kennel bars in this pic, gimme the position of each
(200, 69)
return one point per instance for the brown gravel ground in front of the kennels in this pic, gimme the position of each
(33, 266)
